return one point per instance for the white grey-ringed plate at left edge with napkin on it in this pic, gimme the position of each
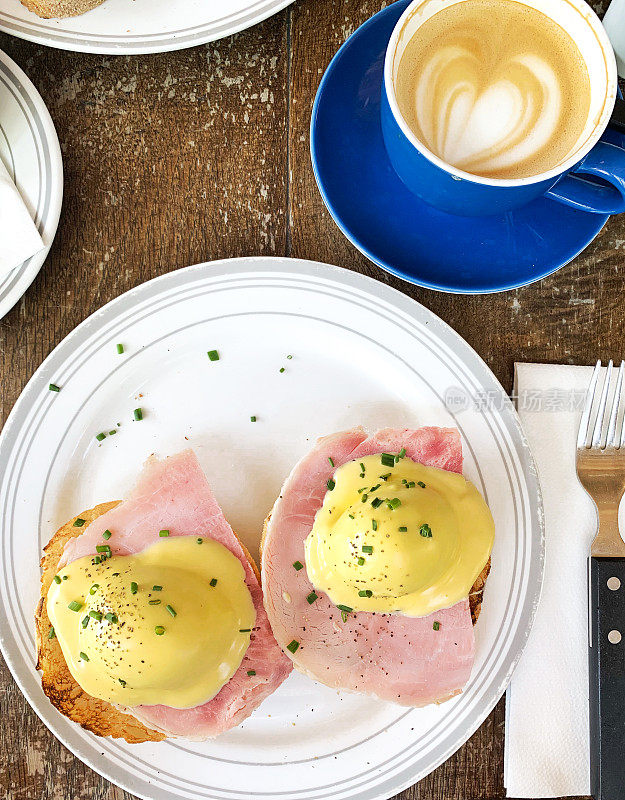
(30, 150)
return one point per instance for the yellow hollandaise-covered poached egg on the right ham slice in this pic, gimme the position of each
(395, 536)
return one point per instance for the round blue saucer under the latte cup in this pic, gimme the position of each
(395, 229)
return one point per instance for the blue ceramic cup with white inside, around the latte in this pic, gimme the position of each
(592, 178)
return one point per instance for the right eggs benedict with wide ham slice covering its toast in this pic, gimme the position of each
(374, 560)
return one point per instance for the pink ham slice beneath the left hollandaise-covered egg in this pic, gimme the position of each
(174, 494)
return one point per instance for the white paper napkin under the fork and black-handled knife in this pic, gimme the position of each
(546, 746)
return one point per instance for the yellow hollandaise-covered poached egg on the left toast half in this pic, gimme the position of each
(169, 625)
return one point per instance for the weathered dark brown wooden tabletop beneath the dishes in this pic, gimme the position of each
(184, 157)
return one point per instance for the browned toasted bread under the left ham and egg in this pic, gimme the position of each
(65, 694)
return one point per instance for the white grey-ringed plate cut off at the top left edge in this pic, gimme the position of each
(132, 27)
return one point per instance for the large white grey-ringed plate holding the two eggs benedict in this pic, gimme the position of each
(362, 353)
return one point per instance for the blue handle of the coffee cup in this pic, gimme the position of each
(605, 161)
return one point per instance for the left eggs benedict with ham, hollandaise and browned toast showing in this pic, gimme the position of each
(153, 608)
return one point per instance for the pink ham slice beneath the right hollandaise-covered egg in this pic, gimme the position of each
(397, 658)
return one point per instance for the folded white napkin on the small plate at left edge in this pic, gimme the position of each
(19, 238)
